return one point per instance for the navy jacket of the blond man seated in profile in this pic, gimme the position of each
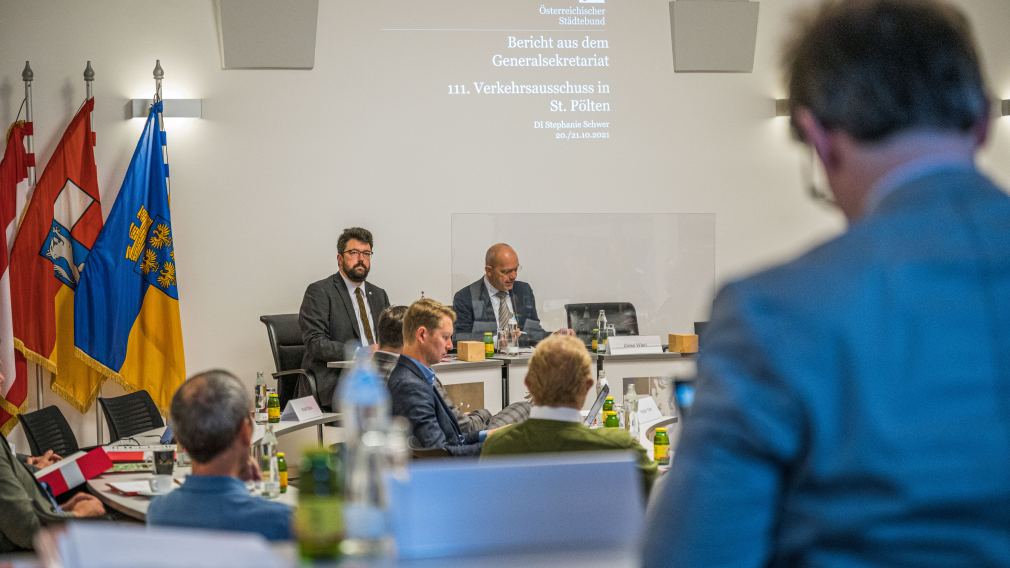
(433, 422)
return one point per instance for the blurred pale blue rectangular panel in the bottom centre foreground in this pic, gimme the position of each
(541, 503)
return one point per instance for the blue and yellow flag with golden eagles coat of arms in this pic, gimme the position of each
(127, 314)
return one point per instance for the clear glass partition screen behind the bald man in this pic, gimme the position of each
(662, 264)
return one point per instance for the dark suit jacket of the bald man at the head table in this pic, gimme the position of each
(475, 314)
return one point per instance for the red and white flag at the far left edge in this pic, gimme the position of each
(14, 190)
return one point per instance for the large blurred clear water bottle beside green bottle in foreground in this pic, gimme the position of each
(365, 405)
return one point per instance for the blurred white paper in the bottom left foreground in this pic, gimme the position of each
(106, 545)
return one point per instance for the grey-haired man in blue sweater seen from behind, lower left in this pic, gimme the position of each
(211, 416)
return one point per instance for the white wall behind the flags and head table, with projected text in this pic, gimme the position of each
(283, 160)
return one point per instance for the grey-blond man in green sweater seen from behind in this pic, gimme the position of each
(560, 377)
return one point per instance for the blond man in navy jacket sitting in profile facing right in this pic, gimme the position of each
(428, 336)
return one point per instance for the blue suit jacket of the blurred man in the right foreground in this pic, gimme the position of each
(854, 406)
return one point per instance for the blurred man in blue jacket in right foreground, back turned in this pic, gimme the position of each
(833, 425)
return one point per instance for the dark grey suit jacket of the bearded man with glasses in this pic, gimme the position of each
(328, 322)
